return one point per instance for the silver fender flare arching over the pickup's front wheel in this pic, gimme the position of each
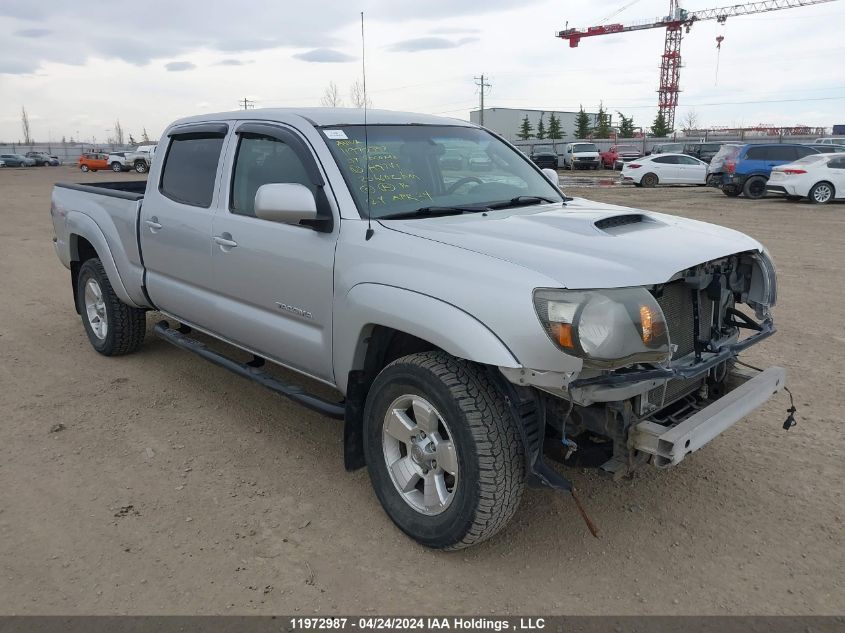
(440, 323)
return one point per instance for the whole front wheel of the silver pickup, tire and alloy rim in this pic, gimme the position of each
(443, 450)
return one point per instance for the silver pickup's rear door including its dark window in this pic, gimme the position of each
(175, 223)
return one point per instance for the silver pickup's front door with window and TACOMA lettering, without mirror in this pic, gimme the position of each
(275, 281)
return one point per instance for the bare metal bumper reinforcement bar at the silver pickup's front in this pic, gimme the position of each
(669, 445)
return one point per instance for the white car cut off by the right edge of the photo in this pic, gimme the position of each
(819, 177)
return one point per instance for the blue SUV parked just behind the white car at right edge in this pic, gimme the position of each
(745, 169)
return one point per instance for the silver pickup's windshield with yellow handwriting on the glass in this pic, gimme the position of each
(413, 167)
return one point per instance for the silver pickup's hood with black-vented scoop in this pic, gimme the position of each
(586, 245)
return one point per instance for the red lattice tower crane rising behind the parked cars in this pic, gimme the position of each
(676, 22)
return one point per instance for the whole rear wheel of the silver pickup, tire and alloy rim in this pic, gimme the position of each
(113, 327)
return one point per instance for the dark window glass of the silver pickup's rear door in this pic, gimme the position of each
(190, 168)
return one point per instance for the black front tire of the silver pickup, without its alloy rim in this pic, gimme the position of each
(491, 461)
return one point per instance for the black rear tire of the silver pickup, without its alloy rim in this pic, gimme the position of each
(126, 325)
